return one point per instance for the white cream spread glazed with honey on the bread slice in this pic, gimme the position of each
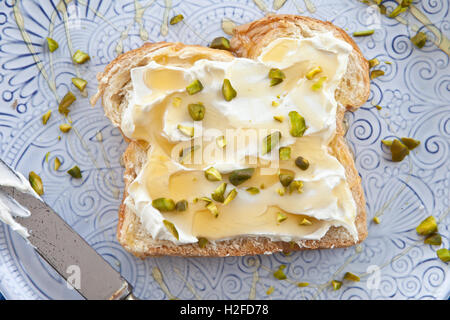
(158, 105)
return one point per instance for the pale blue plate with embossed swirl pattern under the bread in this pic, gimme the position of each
(414, 94)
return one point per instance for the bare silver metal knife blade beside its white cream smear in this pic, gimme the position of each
(65, 250)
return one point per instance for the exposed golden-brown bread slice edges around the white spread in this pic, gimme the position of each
(248, 41)
